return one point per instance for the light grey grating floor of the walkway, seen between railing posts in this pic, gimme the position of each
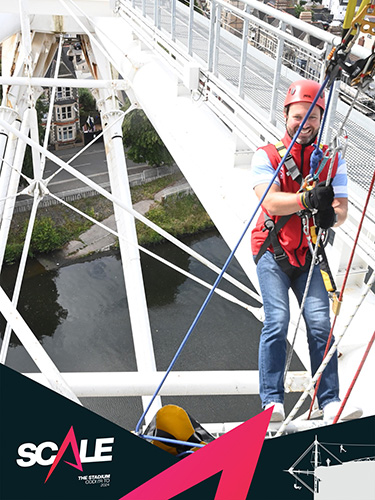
(259, 81)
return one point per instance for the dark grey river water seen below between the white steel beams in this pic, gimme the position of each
(79, 313)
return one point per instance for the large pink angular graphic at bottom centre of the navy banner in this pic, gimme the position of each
(235, 454)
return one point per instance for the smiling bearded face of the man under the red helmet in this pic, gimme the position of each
(296, 114)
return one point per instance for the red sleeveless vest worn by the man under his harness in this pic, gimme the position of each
(291, 236)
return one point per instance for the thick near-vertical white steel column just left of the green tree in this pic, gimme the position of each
(130, 256)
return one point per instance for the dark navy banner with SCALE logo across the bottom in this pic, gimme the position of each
(54, 449)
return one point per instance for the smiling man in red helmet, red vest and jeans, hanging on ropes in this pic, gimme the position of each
(282, 253)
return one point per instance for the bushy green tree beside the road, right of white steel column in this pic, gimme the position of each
(142, 142)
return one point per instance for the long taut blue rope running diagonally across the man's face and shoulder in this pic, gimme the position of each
(229, 259)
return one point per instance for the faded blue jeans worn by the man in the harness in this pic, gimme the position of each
(274, 286)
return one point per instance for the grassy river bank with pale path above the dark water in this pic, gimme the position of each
(170, 203)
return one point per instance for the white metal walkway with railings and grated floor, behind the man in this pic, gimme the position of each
(254, 65)
